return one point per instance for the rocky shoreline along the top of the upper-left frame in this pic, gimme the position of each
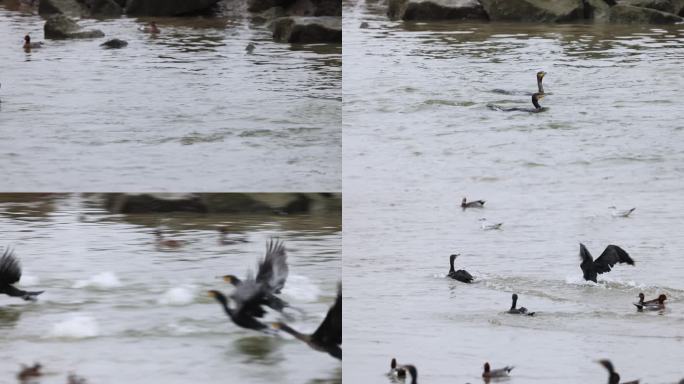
(291, 21)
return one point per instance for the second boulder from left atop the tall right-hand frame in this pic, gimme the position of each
(534, 10)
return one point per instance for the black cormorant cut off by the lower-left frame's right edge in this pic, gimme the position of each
(328, 336)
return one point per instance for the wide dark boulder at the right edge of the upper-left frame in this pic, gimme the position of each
(306, 30)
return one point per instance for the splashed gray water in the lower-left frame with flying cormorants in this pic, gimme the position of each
(118, 308)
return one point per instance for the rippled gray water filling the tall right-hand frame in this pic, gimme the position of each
(419, 136)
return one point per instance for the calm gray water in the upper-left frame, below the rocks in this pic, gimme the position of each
(187, 110)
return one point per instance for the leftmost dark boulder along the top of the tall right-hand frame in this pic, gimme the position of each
(436, 10)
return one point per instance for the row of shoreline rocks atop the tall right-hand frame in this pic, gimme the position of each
(548, 11)
